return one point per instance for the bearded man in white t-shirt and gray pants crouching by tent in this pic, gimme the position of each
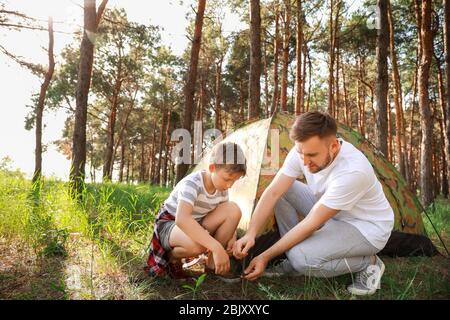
(347, 218)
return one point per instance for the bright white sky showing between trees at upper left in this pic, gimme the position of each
(18, 84)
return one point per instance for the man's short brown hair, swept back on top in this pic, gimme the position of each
(311, 124)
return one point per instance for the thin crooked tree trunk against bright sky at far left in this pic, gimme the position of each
(41, 103)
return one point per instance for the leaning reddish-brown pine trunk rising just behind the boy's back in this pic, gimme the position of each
(182, 168)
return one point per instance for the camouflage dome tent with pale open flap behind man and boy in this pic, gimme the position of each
(266, 144)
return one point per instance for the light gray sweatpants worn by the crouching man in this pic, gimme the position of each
(336, 248)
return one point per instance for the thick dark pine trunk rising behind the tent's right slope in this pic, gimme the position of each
(382, 82)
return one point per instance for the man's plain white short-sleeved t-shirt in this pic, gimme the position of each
(349, 184)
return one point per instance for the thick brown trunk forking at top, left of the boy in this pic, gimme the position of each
(91, 21)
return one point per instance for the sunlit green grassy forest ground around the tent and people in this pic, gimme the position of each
(54, 248)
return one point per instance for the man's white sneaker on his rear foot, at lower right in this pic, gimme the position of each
(368, 281)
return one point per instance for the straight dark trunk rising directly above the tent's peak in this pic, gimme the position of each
(255, 60)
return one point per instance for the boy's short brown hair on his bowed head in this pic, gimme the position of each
(229, 156)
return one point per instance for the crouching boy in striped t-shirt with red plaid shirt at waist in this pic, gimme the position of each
(198, 217)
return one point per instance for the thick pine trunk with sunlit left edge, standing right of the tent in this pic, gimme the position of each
(426, 174)
